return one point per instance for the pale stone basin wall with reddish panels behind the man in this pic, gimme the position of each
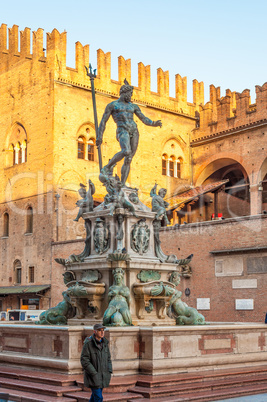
(137, 350)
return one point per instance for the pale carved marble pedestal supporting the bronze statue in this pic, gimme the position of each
(128, 252)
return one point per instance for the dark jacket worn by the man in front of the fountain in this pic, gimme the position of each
(96, 363)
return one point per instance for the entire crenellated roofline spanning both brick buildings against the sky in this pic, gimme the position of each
(219, 114)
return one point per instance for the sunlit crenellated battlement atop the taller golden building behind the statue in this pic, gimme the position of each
(17, 47)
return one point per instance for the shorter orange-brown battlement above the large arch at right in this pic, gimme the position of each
(223, 115)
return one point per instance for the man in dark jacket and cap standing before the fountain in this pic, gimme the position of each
(96, 362)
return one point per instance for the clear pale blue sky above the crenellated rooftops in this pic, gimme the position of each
(217, 42)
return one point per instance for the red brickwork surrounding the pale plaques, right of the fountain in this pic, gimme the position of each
(202, 238)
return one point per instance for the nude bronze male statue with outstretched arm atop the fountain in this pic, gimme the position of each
(122, 111)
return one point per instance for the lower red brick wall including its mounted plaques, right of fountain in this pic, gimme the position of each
(229, 280)
